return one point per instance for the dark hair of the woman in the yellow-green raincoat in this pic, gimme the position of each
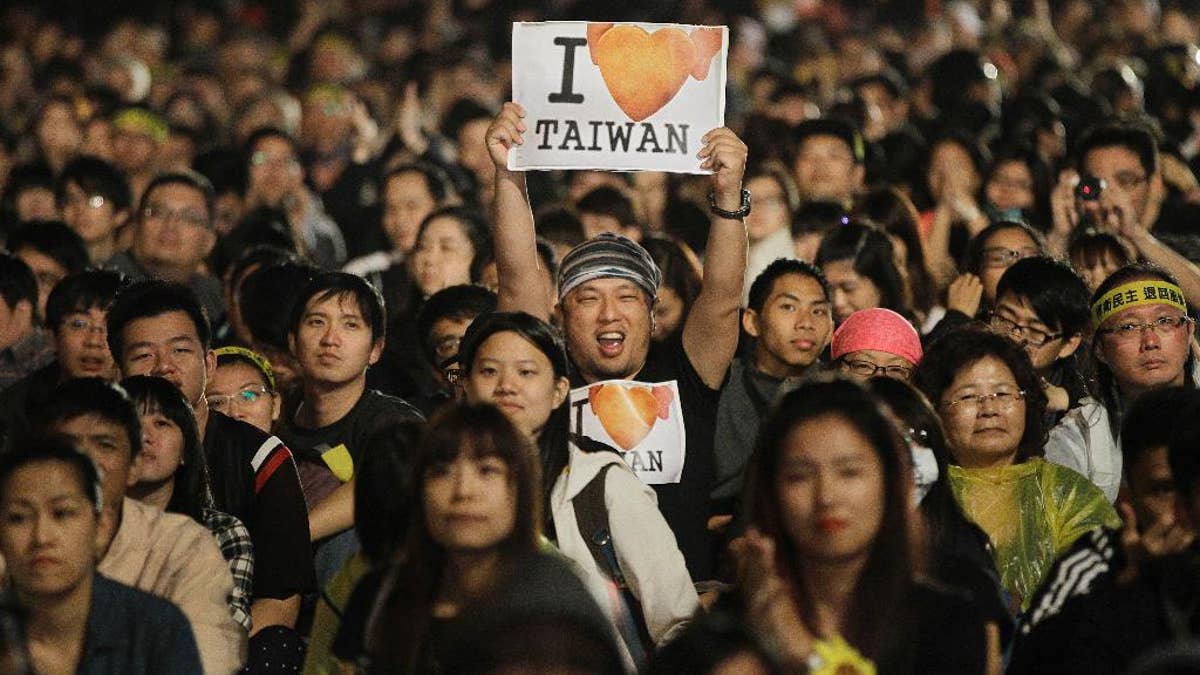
(963, 348)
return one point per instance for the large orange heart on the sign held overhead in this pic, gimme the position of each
(645, 71)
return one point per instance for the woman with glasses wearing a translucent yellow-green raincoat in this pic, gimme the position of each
(993, 408)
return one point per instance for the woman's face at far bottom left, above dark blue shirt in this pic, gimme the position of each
(49, 530)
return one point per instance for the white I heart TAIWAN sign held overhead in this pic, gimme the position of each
(617, 97)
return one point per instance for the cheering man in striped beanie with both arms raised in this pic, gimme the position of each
(658, 409)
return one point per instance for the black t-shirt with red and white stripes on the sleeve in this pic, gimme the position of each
(255, 480)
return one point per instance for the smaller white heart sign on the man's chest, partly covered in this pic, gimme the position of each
(641, 422)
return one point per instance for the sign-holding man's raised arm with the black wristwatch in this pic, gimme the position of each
(711, 334)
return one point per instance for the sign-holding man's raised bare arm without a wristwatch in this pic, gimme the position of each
(518, 264)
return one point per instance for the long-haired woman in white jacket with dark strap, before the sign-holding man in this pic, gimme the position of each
(518, 363)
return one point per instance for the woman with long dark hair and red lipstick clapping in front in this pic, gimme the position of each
(833, 559)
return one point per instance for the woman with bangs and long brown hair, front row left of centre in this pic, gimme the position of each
(477, 521)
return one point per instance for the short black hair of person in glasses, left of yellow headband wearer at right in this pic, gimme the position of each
(1057, 294)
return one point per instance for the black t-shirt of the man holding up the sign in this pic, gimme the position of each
(685, 505)
